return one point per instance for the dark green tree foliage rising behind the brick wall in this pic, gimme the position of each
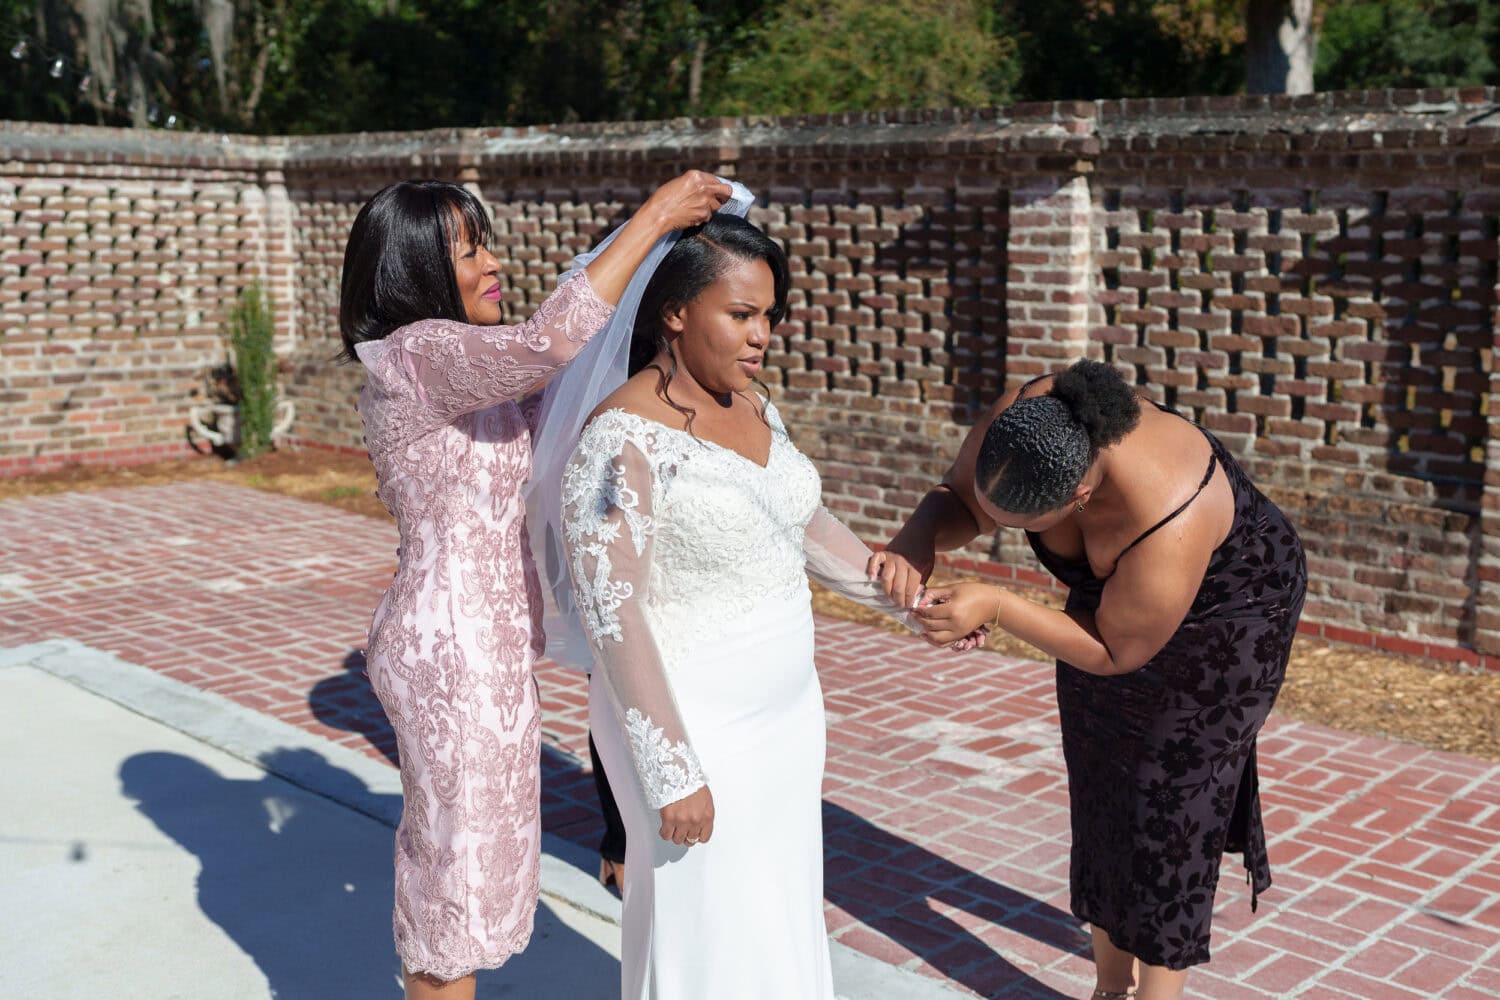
(308, 67)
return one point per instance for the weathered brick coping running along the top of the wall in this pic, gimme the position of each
(1358, 119)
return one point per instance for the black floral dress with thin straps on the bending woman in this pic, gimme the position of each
(1162, 761)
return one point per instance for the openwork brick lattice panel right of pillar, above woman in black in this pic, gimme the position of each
(1345, 328)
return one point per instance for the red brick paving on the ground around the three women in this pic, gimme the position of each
(946, 798)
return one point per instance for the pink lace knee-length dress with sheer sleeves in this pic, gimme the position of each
(455, 636)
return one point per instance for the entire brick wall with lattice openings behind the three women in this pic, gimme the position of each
(1312, 278)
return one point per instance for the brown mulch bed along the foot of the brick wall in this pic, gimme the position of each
(1358, 690)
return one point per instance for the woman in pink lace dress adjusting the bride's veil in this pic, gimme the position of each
(455, 636)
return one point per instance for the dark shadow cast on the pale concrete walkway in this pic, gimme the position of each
(304, 885)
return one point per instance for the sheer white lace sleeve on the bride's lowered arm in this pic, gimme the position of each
(608, 530)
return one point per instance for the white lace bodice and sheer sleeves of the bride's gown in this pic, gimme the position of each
(670, 540)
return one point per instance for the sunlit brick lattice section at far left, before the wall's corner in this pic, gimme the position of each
(113, 287)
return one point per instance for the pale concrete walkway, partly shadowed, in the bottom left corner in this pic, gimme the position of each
(152, 864)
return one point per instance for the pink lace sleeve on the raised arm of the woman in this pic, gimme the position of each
(460, 368)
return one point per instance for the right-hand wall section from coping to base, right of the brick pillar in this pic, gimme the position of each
(1316, 286)
